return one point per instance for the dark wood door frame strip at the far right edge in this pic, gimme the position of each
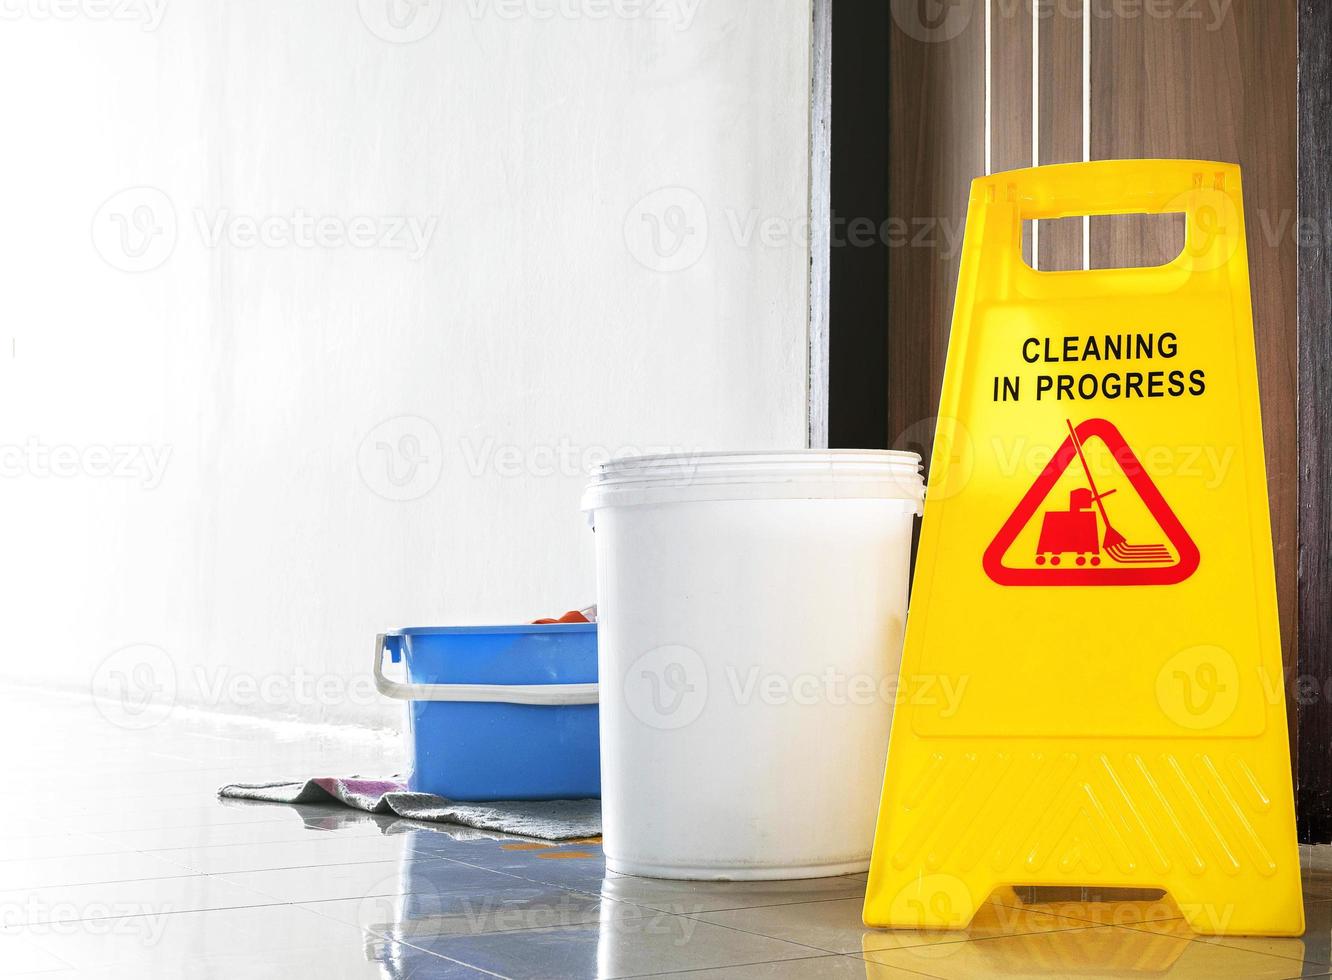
(1313, 696)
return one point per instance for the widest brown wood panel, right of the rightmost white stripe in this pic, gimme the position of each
(1171, 87)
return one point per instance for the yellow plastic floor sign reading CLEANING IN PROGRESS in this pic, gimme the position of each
(1096, 577)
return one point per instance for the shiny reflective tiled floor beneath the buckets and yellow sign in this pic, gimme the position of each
(117, 861)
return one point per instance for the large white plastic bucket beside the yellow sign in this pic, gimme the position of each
(751, 618)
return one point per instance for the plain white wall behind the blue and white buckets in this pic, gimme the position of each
(525, 334)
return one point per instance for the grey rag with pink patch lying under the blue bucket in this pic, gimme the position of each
(540, 820)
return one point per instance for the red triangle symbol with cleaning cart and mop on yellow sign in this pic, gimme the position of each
(1078, 545)
